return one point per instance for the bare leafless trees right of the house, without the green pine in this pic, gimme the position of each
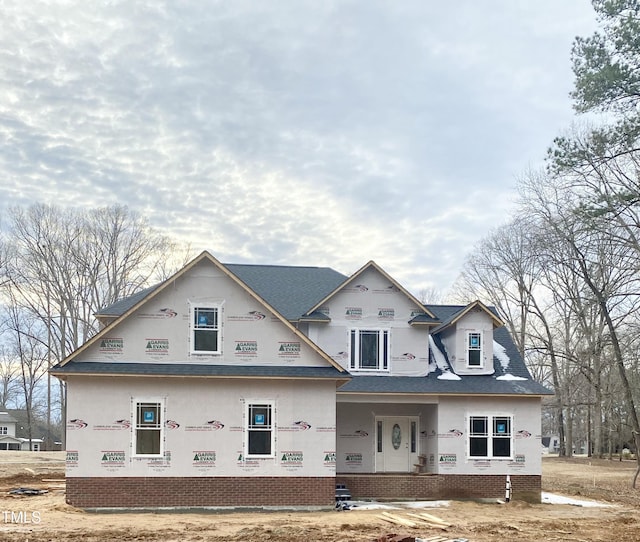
(564, 274)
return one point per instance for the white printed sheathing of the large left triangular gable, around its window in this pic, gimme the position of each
(160, 330)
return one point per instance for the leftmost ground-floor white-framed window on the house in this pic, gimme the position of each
(148, 428)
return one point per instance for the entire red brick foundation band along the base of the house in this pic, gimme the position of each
(153, 492)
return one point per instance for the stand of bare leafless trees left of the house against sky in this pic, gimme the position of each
(58, 266)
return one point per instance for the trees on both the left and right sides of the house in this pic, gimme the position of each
(564, 272)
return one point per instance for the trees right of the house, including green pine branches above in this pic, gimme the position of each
(565, 271)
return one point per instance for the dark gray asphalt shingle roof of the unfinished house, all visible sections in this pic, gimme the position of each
(292, 291)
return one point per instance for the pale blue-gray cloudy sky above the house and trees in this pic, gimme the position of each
(289, 131)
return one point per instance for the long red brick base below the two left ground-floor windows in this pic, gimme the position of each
(199, 492)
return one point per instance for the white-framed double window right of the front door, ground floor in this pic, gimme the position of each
(490, 437)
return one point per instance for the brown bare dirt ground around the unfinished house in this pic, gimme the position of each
(47, 517)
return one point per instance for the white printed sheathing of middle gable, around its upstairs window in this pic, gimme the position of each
(372, 302)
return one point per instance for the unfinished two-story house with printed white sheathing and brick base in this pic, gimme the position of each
(251, 385)
